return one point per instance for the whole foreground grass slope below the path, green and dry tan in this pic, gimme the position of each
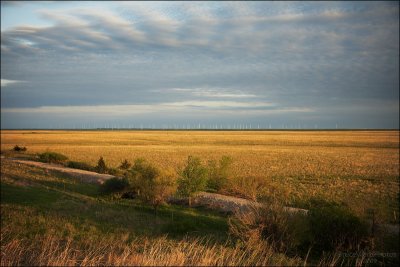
(50, 219)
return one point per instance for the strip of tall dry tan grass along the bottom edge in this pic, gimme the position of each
(50, 250)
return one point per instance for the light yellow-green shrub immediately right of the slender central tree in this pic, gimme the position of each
(218, 174)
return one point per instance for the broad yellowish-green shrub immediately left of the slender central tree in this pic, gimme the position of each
(153, 186)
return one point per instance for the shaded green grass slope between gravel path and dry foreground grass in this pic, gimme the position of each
(80, 206)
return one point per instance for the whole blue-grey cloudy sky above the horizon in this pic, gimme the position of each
(214, 64)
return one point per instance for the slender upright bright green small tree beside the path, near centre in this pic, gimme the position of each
(193, 178)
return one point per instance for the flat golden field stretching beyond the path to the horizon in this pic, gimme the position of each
(360, 168)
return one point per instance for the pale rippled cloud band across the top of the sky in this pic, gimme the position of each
(91, 29)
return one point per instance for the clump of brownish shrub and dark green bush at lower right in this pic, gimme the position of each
(328, 227)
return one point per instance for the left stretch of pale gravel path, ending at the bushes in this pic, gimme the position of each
(85, 176)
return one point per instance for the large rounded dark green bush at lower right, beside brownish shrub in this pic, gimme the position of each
(334, 226)
